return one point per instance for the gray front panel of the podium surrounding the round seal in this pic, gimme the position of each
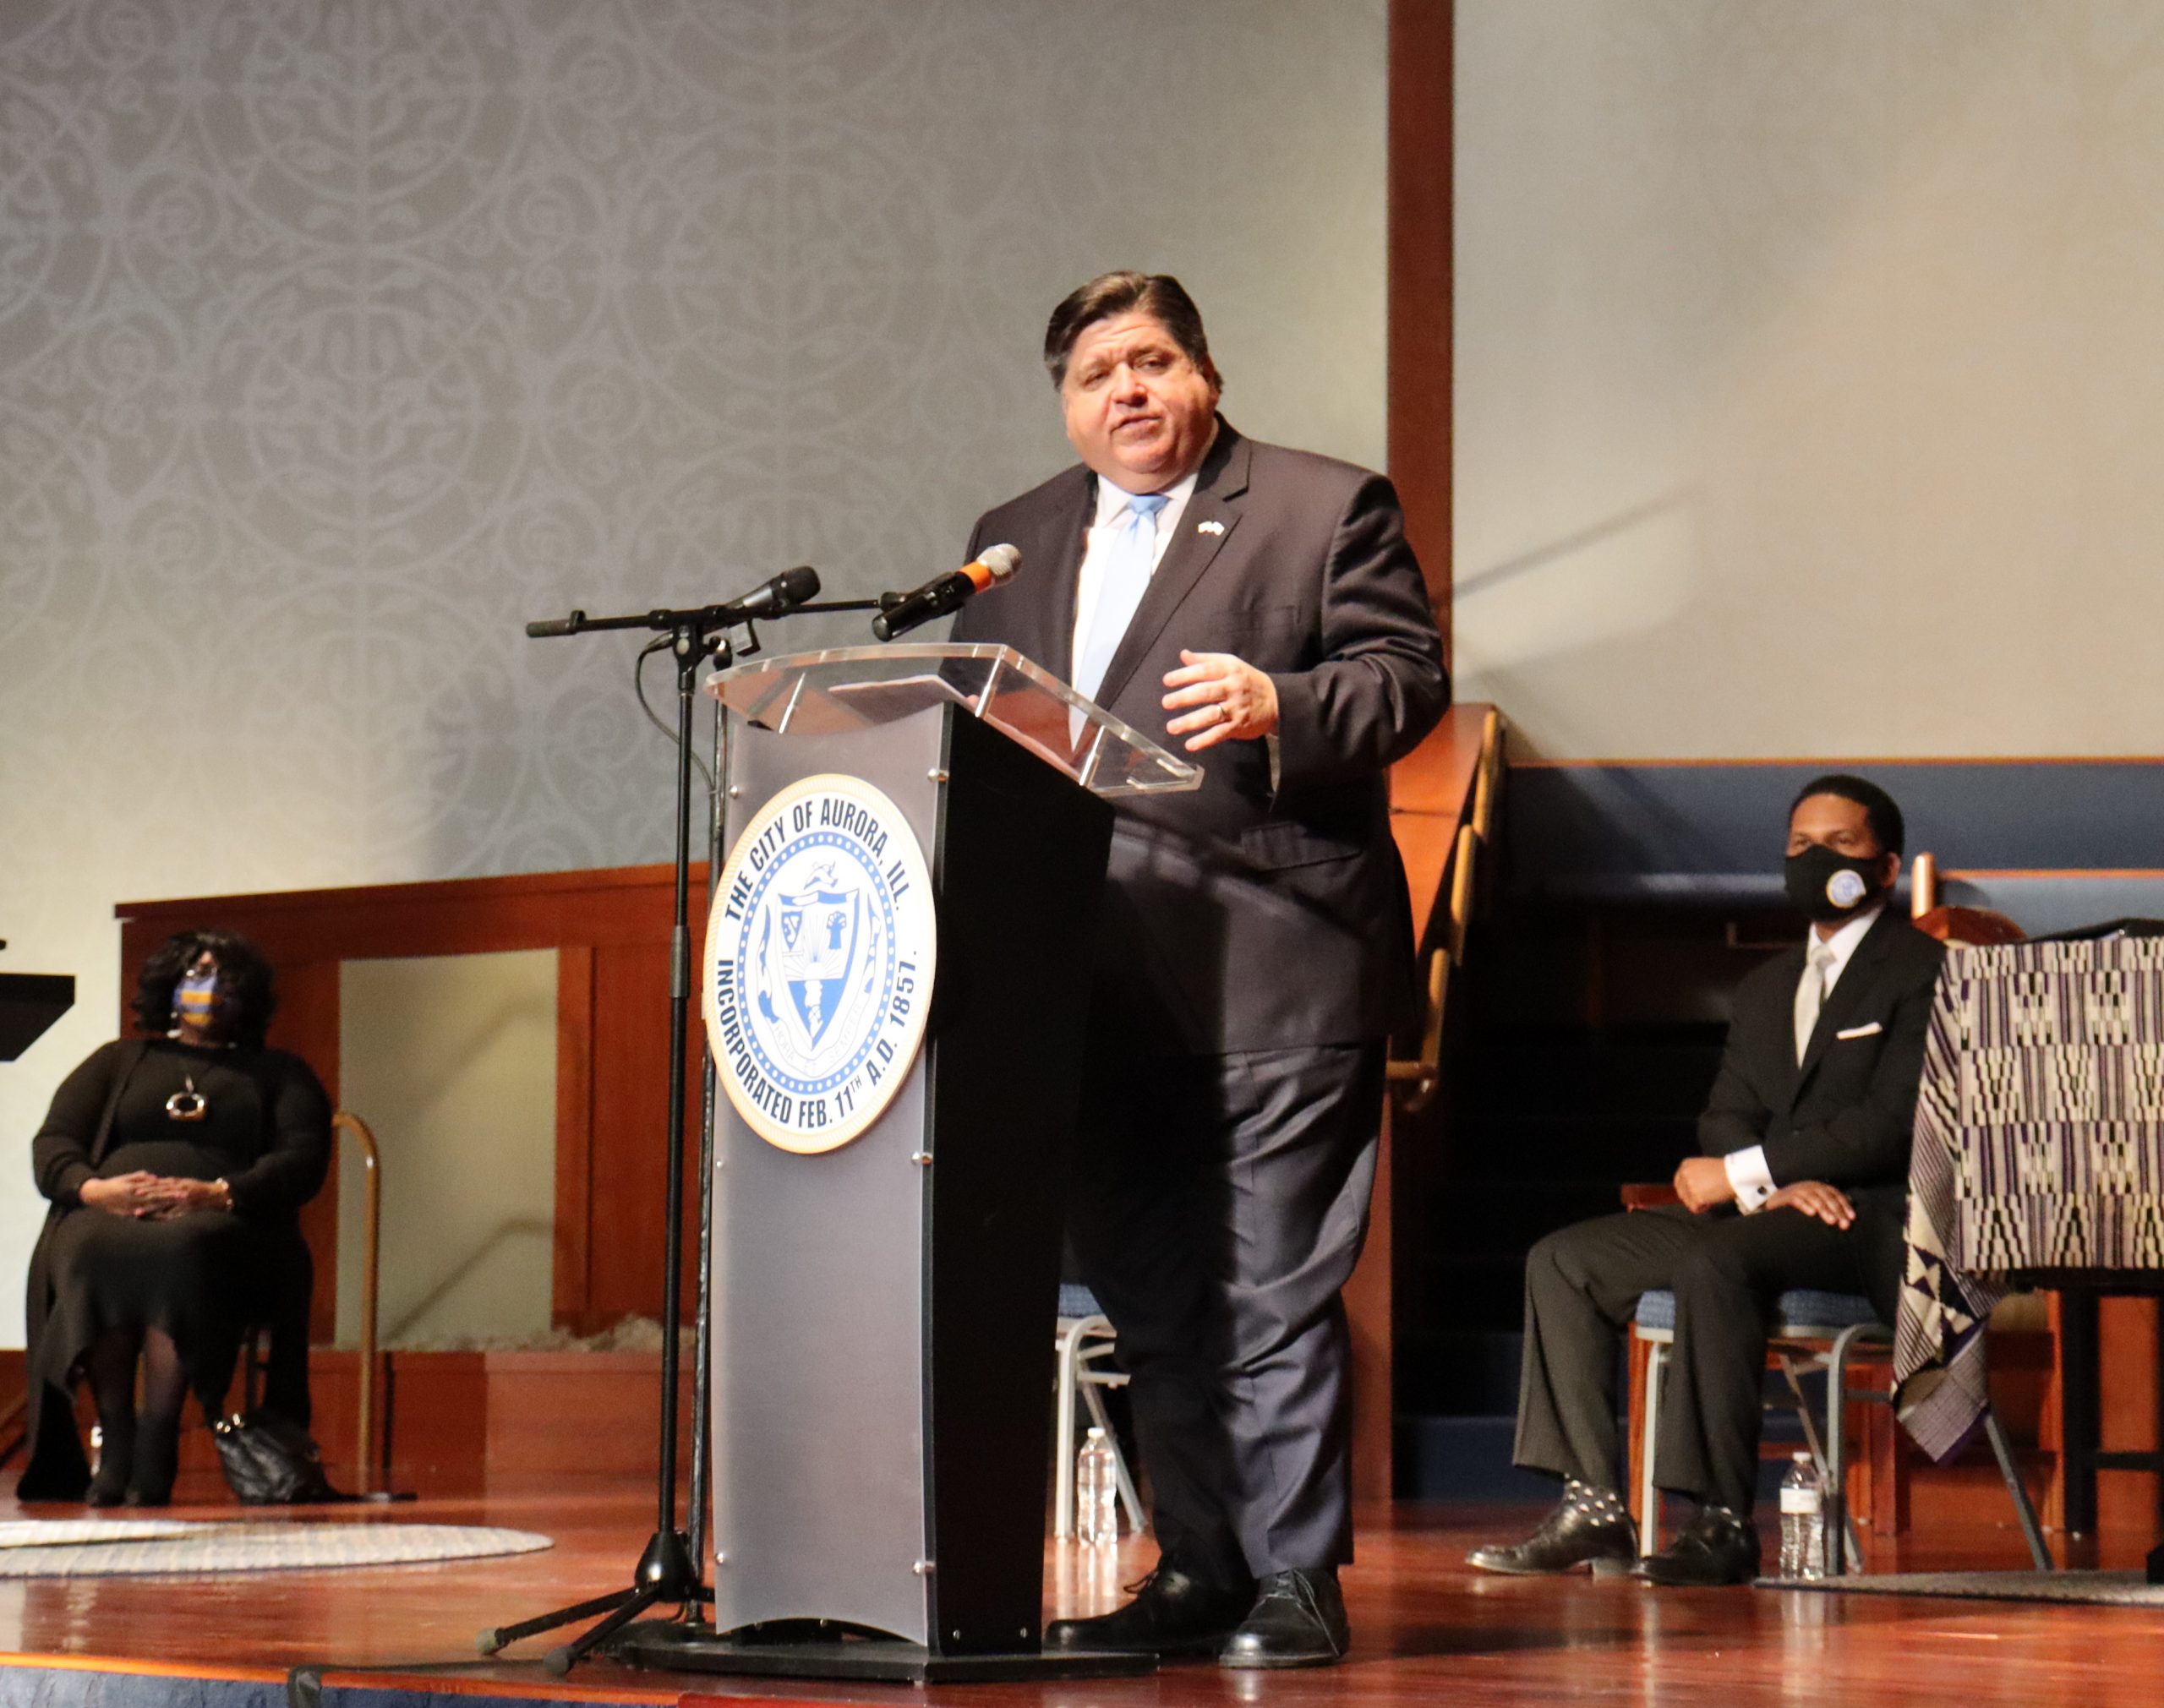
(819, 1306)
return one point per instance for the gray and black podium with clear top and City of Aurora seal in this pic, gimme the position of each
(895, 990)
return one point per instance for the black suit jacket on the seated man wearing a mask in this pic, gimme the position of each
(1847, 1112)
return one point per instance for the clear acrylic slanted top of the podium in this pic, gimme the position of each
(830, 694)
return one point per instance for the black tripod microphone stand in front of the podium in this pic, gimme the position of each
(670, 1571)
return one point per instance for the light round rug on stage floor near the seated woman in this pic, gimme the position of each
(98, 1549)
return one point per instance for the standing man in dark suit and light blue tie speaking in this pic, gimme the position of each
(1263, 609)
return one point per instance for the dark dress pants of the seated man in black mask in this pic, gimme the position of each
(1726, 1272)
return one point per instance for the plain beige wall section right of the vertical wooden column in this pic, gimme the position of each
(1810, 376)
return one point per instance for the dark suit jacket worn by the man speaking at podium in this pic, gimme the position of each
(1243, 917)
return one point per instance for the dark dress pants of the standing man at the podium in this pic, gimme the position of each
(1219, 1207)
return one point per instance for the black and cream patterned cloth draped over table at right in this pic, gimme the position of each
(2040, 1144)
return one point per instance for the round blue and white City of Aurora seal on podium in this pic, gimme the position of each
(819, 962)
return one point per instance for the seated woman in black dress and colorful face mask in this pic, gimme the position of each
(176, 1166)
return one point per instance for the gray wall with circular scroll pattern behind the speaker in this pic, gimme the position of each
(337, 339)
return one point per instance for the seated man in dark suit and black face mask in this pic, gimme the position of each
(1802, 1185)
